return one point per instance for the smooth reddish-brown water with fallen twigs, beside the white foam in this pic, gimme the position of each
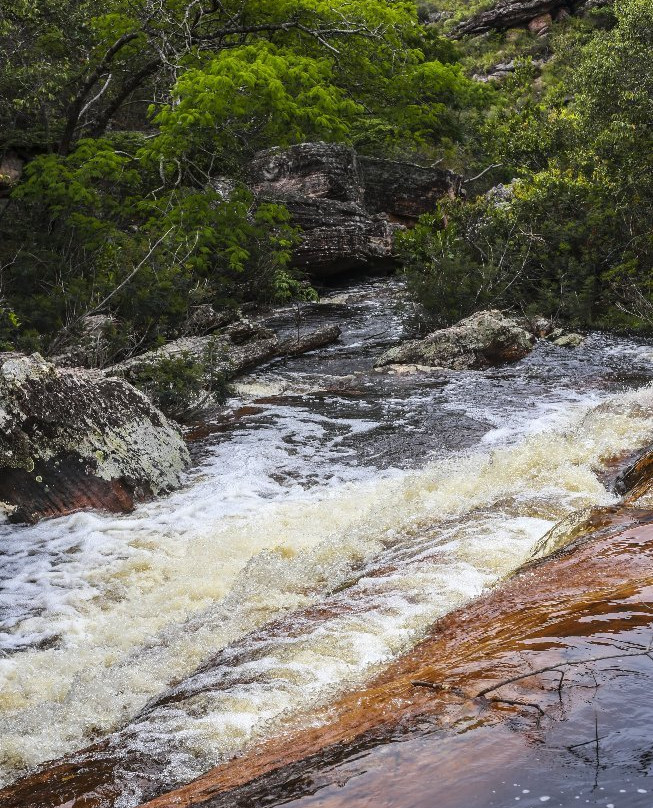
(398, 744)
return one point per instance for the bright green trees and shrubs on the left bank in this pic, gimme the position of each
(135, 116)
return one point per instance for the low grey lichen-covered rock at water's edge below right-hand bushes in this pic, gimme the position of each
(486, 338)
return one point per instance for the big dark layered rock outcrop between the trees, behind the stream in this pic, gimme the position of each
(348, 207)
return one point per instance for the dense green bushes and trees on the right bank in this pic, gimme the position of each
(571, 235)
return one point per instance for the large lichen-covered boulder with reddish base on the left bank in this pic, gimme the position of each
(72, 439)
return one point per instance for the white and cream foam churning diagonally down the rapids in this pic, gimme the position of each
(141, 600)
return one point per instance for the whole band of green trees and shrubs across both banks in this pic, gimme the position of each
(138, 119)
